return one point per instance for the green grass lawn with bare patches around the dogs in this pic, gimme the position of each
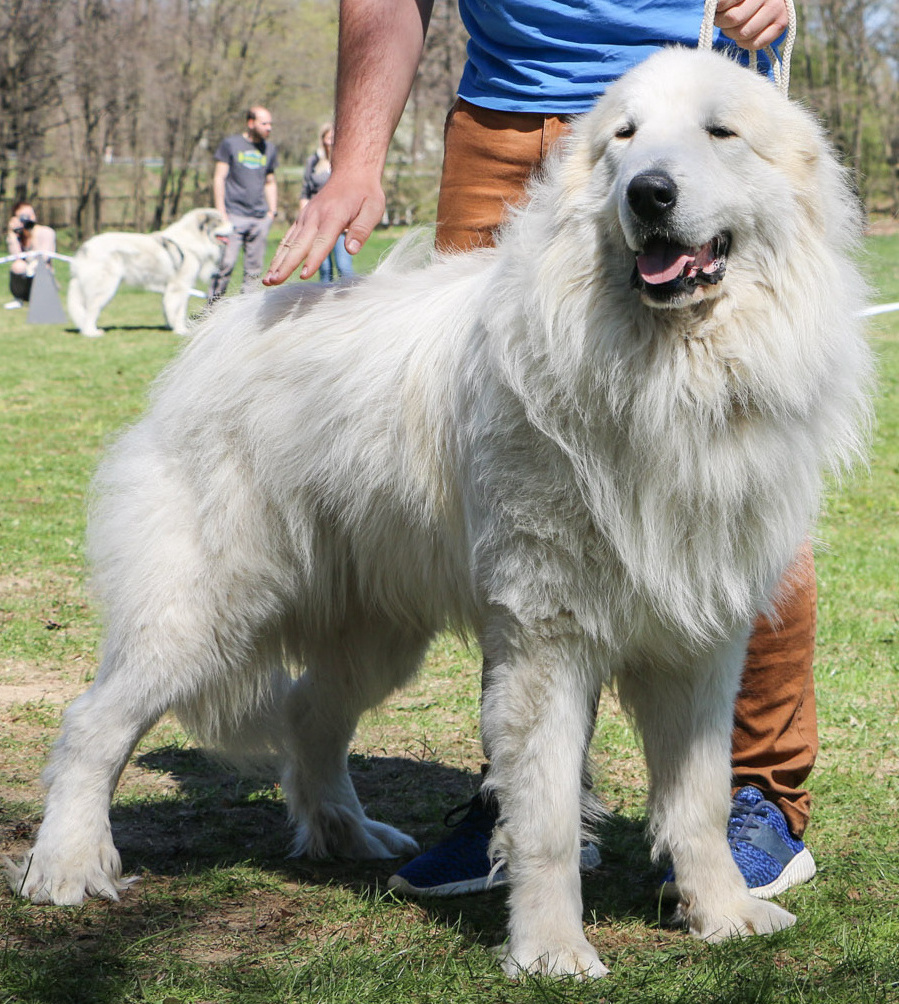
(222, 916)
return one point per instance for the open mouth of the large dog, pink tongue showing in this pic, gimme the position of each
(665, 272)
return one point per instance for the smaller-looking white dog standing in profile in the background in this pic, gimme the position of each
(170, 263)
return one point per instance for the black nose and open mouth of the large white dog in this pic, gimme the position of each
(665, 269)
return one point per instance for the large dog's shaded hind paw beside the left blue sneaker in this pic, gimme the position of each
(336, 831)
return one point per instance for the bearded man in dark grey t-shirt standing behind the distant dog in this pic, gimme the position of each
(247, 194)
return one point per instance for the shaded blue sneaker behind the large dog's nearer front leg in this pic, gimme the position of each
(460, 864)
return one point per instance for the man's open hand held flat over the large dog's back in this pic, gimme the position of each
(343, 204)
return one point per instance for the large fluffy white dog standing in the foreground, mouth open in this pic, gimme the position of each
(598, 447)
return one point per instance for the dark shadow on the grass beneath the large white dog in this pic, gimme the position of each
(215, 817)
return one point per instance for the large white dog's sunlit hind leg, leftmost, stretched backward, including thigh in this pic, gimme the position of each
(175, 634)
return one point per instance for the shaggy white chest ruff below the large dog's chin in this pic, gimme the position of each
(651, 499)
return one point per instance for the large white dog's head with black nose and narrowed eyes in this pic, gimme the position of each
(702, 169)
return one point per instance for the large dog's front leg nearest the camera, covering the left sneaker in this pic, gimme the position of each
(538, 718)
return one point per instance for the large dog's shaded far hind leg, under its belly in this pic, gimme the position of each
(349, 672)
